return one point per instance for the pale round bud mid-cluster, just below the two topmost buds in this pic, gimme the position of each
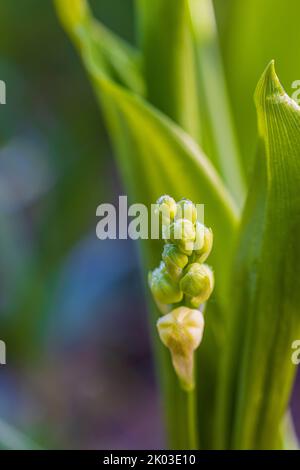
(182, 234)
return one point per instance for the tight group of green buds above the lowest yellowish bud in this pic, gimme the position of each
(181, 275)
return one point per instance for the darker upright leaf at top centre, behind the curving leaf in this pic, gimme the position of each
(169, 62)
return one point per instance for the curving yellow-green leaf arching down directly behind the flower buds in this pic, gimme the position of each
(156, 157)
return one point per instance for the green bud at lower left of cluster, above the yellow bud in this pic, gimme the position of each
(164, 289)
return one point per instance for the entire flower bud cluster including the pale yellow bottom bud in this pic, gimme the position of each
(182, 282)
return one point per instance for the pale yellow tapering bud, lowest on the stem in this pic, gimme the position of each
(181, 331)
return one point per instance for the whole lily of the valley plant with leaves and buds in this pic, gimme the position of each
(170, 122)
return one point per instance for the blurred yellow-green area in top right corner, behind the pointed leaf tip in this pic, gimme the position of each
(251, 33)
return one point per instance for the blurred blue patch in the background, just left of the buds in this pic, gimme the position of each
(95, 273)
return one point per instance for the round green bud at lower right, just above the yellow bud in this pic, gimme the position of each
(197, 283)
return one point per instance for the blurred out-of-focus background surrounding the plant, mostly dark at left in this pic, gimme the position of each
(79, 370)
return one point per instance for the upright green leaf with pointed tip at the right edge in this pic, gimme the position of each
(257, 372)
